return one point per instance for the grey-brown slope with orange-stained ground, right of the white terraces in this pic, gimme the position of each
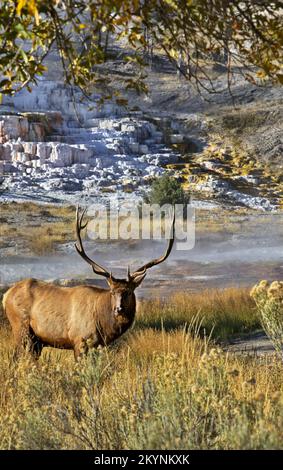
(243, 134)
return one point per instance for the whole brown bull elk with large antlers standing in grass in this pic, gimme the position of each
(43, 314)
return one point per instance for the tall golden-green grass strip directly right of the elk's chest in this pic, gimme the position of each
(221, 313)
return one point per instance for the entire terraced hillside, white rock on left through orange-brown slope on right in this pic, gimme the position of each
(55, 145)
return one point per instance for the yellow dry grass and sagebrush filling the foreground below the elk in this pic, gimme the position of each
(162, 386)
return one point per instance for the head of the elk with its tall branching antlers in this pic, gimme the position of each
(122, 290)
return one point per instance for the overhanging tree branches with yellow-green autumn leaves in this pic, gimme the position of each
(243, 36)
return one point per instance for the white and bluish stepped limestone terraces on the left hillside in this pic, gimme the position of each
(52, 143)
